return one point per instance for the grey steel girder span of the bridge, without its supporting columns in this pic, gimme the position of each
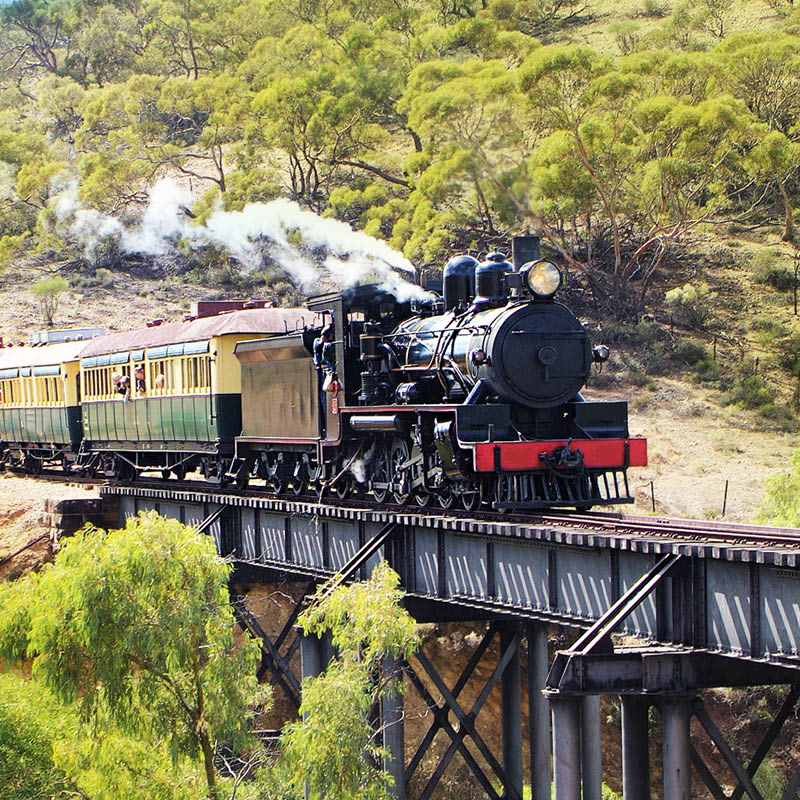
(736, 598)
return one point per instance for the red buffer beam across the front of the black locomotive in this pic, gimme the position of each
(597, 453)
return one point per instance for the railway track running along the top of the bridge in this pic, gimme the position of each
(607, 522)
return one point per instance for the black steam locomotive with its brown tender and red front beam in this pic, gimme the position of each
(473, 398)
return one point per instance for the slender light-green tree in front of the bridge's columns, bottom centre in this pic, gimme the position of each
(334, 748)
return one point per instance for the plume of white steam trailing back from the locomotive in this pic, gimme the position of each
(328, 246)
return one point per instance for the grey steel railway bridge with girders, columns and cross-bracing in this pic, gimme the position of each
(702, 606)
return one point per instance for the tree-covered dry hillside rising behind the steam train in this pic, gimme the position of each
(654, 144)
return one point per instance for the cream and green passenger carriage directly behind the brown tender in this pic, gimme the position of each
(168, 397)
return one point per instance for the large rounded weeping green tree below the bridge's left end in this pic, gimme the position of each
(136, 628)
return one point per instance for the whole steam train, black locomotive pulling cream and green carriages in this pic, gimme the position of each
(472, 398)
